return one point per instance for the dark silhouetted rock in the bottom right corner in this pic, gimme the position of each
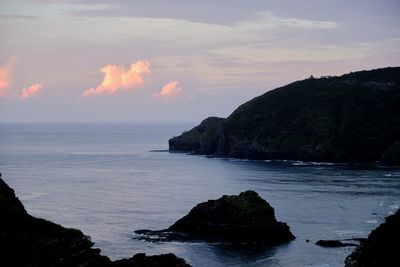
(382, 248)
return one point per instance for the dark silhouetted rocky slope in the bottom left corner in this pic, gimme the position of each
(30, 241)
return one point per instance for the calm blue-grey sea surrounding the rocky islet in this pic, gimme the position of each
(111, 179)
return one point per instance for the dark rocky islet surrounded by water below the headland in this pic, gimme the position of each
(245, 218)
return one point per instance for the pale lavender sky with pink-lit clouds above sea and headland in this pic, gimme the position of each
(177, 60)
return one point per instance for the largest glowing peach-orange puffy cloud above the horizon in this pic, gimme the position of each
(117, 78)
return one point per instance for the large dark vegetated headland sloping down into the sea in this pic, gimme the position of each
(351, 118)
